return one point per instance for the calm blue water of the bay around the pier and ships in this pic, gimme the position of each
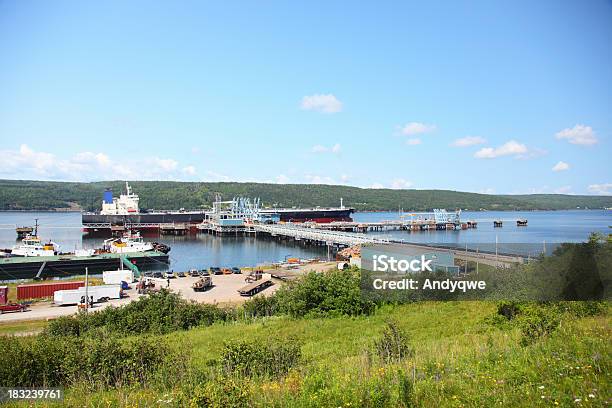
(204, 250)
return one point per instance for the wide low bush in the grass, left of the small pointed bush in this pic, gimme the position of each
(273, 359)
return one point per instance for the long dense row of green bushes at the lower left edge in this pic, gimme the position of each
(97, 362)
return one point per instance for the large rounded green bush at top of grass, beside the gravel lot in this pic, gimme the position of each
(334, 293)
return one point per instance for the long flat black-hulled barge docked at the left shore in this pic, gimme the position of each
(40, 267)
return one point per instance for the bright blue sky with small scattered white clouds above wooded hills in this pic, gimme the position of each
(481, 96)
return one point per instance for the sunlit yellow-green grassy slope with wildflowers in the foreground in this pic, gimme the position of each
(459, 360)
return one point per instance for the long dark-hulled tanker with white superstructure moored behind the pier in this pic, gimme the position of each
(123, 213)
